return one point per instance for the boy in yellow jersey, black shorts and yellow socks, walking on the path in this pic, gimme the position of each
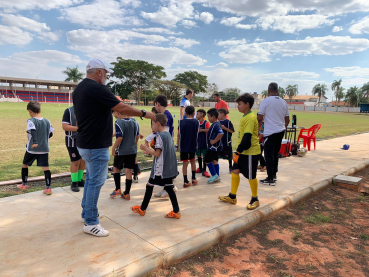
(246, 158)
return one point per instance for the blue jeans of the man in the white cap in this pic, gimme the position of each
(96, 172)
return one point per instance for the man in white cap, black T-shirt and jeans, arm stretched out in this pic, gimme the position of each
(93, 104)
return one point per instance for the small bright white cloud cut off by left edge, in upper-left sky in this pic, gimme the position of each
(14, 35)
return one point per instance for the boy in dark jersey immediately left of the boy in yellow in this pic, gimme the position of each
(227, 127)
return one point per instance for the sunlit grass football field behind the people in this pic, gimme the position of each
(13, 117)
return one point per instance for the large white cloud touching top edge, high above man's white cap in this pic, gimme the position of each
(99, 14)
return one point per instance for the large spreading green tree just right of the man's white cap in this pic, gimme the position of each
(137, 74)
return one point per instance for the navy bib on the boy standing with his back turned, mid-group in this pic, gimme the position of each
(189, 130)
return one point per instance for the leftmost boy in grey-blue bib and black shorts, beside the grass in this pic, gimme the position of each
(39, 131)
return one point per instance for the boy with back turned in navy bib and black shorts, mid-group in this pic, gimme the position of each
(188, 130)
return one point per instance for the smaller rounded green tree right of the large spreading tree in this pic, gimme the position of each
(193, 80)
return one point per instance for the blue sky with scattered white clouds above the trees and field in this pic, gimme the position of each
(236, 43)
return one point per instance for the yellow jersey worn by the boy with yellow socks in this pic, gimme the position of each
(249, 124)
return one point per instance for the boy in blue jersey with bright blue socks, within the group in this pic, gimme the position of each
(214, 142)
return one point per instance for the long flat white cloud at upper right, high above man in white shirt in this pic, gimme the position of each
(293, 23)
